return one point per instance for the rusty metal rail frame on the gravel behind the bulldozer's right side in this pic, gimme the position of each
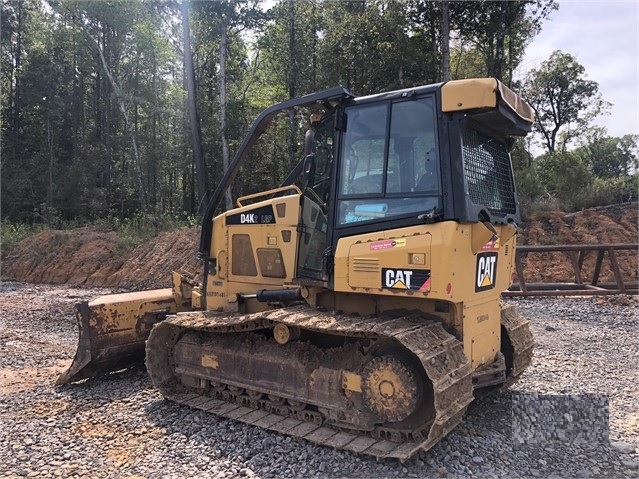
(575, 255)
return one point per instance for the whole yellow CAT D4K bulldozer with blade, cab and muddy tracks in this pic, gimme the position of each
(356, 306)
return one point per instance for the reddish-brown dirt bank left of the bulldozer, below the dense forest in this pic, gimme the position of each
(93, 256)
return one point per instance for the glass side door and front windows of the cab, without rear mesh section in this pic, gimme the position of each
(387, 168)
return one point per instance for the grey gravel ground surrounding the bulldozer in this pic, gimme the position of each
(574, 413)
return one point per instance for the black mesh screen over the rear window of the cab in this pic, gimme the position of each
(487, 171)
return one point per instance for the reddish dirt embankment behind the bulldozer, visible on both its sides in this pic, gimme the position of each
(93, 256)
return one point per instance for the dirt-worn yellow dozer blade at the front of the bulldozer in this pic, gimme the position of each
(113, 330)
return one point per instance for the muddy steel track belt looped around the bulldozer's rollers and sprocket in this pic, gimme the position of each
(441, 355)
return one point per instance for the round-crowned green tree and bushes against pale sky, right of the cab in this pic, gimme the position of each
(600, 171)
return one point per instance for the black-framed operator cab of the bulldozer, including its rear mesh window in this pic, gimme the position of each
(400, 159)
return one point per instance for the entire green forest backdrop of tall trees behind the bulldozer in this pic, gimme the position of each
(97, 125)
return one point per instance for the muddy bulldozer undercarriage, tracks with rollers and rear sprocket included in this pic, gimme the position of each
(386, 387)
